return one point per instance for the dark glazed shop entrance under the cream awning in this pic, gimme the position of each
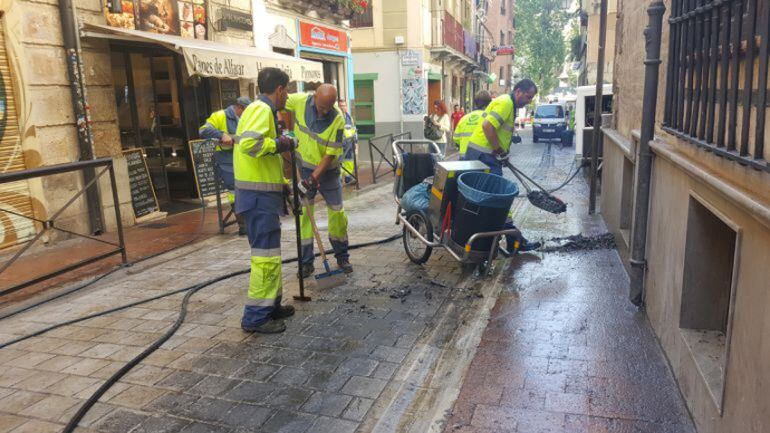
(149, 96)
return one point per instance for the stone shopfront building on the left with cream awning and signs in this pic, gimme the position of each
(153, 71)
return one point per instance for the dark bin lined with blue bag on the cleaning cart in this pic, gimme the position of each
(482, 206)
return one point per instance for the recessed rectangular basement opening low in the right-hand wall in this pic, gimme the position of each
(708, 293)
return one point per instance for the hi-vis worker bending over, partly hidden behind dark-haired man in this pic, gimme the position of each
(221, 126)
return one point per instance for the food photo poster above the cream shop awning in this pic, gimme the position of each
(186, 18)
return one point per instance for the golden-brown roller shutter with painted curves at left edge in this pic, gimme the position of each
(14, 196)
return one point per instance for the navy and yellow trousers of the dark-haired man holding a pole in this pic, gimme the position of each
(263, 227)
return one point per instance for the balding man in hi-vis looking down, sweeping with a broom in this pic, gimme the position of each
(320, 126)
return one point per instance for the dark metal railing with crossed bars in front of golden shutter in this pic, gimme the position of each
(50, 223)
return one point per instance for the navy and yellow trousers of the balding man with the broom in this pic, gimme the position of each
(331, 191)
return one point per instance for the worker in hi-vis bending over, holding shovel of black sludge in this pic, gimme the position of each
(492, 139)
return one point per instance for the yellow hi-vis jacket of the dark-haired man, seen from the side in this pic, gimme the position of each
(257, 165)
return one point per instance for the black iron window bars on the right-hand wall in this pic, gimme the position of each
(716, 48)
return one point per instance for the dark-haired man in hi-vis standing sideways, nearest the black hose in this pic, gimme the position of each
(259, 190)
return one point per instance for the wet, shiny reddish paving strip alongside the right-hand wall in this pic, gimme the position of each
(564, 350)
